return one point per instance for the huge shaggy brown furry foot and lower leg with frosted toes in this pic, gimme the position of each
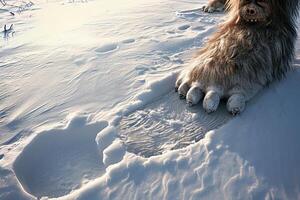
(251, 49)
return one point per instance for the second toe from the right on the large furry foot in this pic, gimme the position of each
(211, 101)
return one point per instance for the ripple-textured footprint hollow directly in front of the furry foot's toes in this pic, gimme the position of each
(167, 124)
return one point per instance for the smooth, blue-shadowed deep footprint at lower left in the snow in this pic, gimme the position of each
(58, 161)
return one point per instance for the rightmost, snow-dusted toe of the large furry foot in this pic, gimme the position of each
(236, 104)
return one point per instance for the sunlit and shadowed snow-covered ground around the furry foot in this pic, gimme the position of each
(88, 109)
